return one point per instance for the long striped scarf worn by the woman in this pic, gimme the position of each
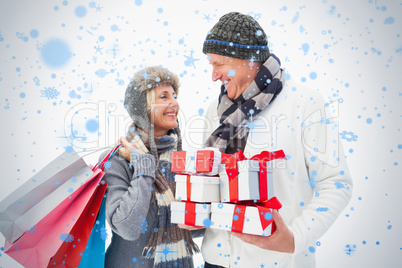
(169, 245)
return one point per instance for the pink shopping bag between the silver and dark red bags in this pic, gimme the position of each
(37, 246)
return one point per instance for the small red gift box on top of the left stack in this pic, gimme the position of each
(205, 161)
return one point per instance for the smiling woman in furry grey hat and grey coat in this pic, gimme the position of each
(140, 182)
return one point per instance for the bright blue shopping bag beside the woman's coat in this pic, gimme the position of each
(94, 254)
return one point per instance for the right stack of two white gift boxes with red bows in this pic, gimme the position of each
(247, 194)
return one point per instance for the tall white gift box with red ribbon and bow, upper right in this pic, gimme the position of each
(248, 179)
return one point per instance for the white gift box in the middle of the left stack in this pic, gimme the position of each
(203, 188)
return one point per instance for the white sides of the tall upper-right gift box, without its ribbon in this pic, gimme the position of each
(248, 181)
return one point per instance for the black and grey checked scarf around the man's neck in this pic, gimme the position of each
(235, 116)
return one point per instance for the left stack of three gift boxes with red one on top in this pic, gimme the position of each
(197, 185)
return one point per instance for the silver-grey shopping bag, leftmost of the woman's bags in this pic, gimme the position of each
(32, 201)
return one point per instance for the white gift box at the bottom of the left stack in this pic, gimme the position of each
(202, 214)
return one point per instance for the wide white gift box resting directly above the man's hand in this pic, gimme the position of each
(222, 215)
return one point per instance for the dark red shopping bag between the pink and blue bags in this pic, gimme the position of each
(68, 255)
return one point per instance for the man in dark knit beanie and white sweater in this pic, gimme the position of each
(257, 110)
